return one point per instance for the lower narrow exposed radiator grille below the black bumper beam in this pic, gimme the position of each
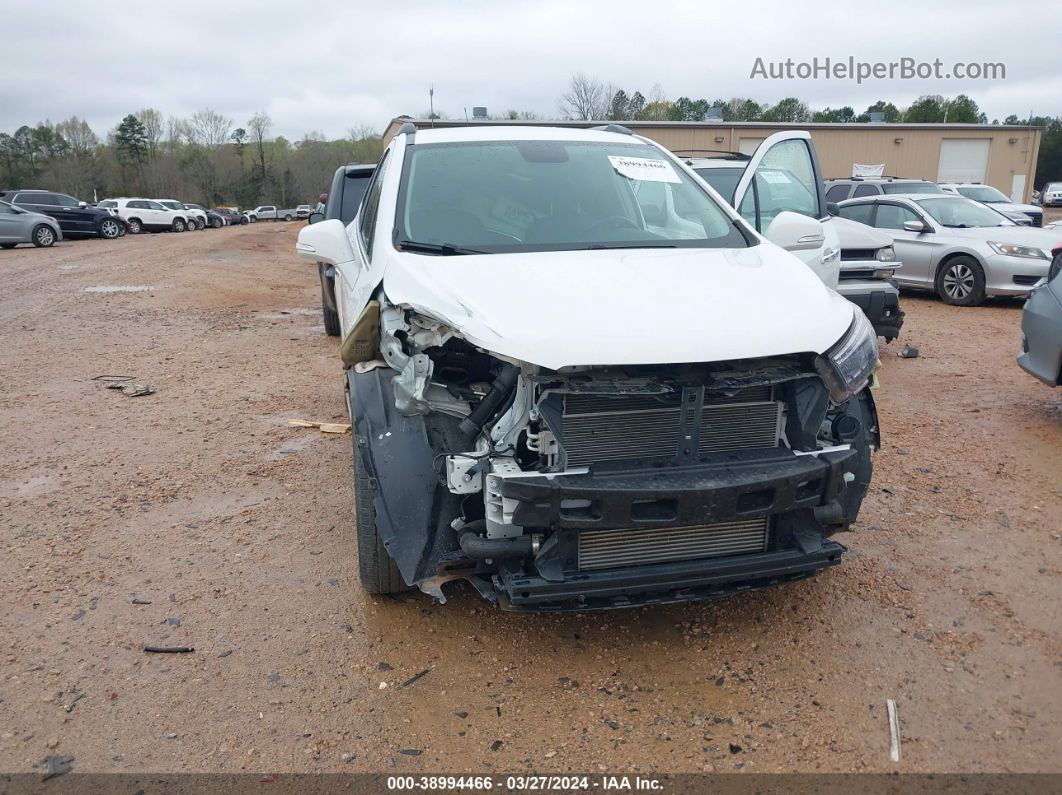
(613, 549)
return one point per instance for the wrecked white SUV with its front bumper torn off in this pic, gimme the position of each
(579, 379)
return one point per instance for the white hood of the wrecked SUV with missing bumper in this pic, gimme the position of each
(664, 306)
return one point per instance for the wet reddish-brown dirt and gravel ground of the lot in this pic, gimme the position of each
(235, 530)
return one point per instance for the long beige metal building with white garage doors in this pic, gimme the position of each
(999, 155)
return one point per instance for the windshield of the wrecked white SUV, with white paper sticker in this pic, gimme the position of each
(500, 197)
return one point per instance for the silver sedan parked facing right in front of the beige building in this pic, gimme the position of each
(958, 248)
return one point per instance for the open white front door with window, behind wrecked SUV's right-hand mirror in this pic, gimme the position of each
(784, 175)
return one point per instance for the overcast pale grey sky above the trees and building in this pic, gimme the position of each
(331, 66)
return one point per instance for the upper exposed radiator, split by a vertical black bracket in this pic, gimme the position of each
(598, 428)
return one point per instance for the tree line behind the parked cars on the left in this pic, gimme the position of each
(205, 159)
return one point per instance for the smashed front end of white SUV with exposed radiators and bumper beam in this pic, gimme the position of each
(596, 488)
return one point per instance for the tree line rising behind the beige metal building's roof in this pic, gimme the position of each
(588, 98)
